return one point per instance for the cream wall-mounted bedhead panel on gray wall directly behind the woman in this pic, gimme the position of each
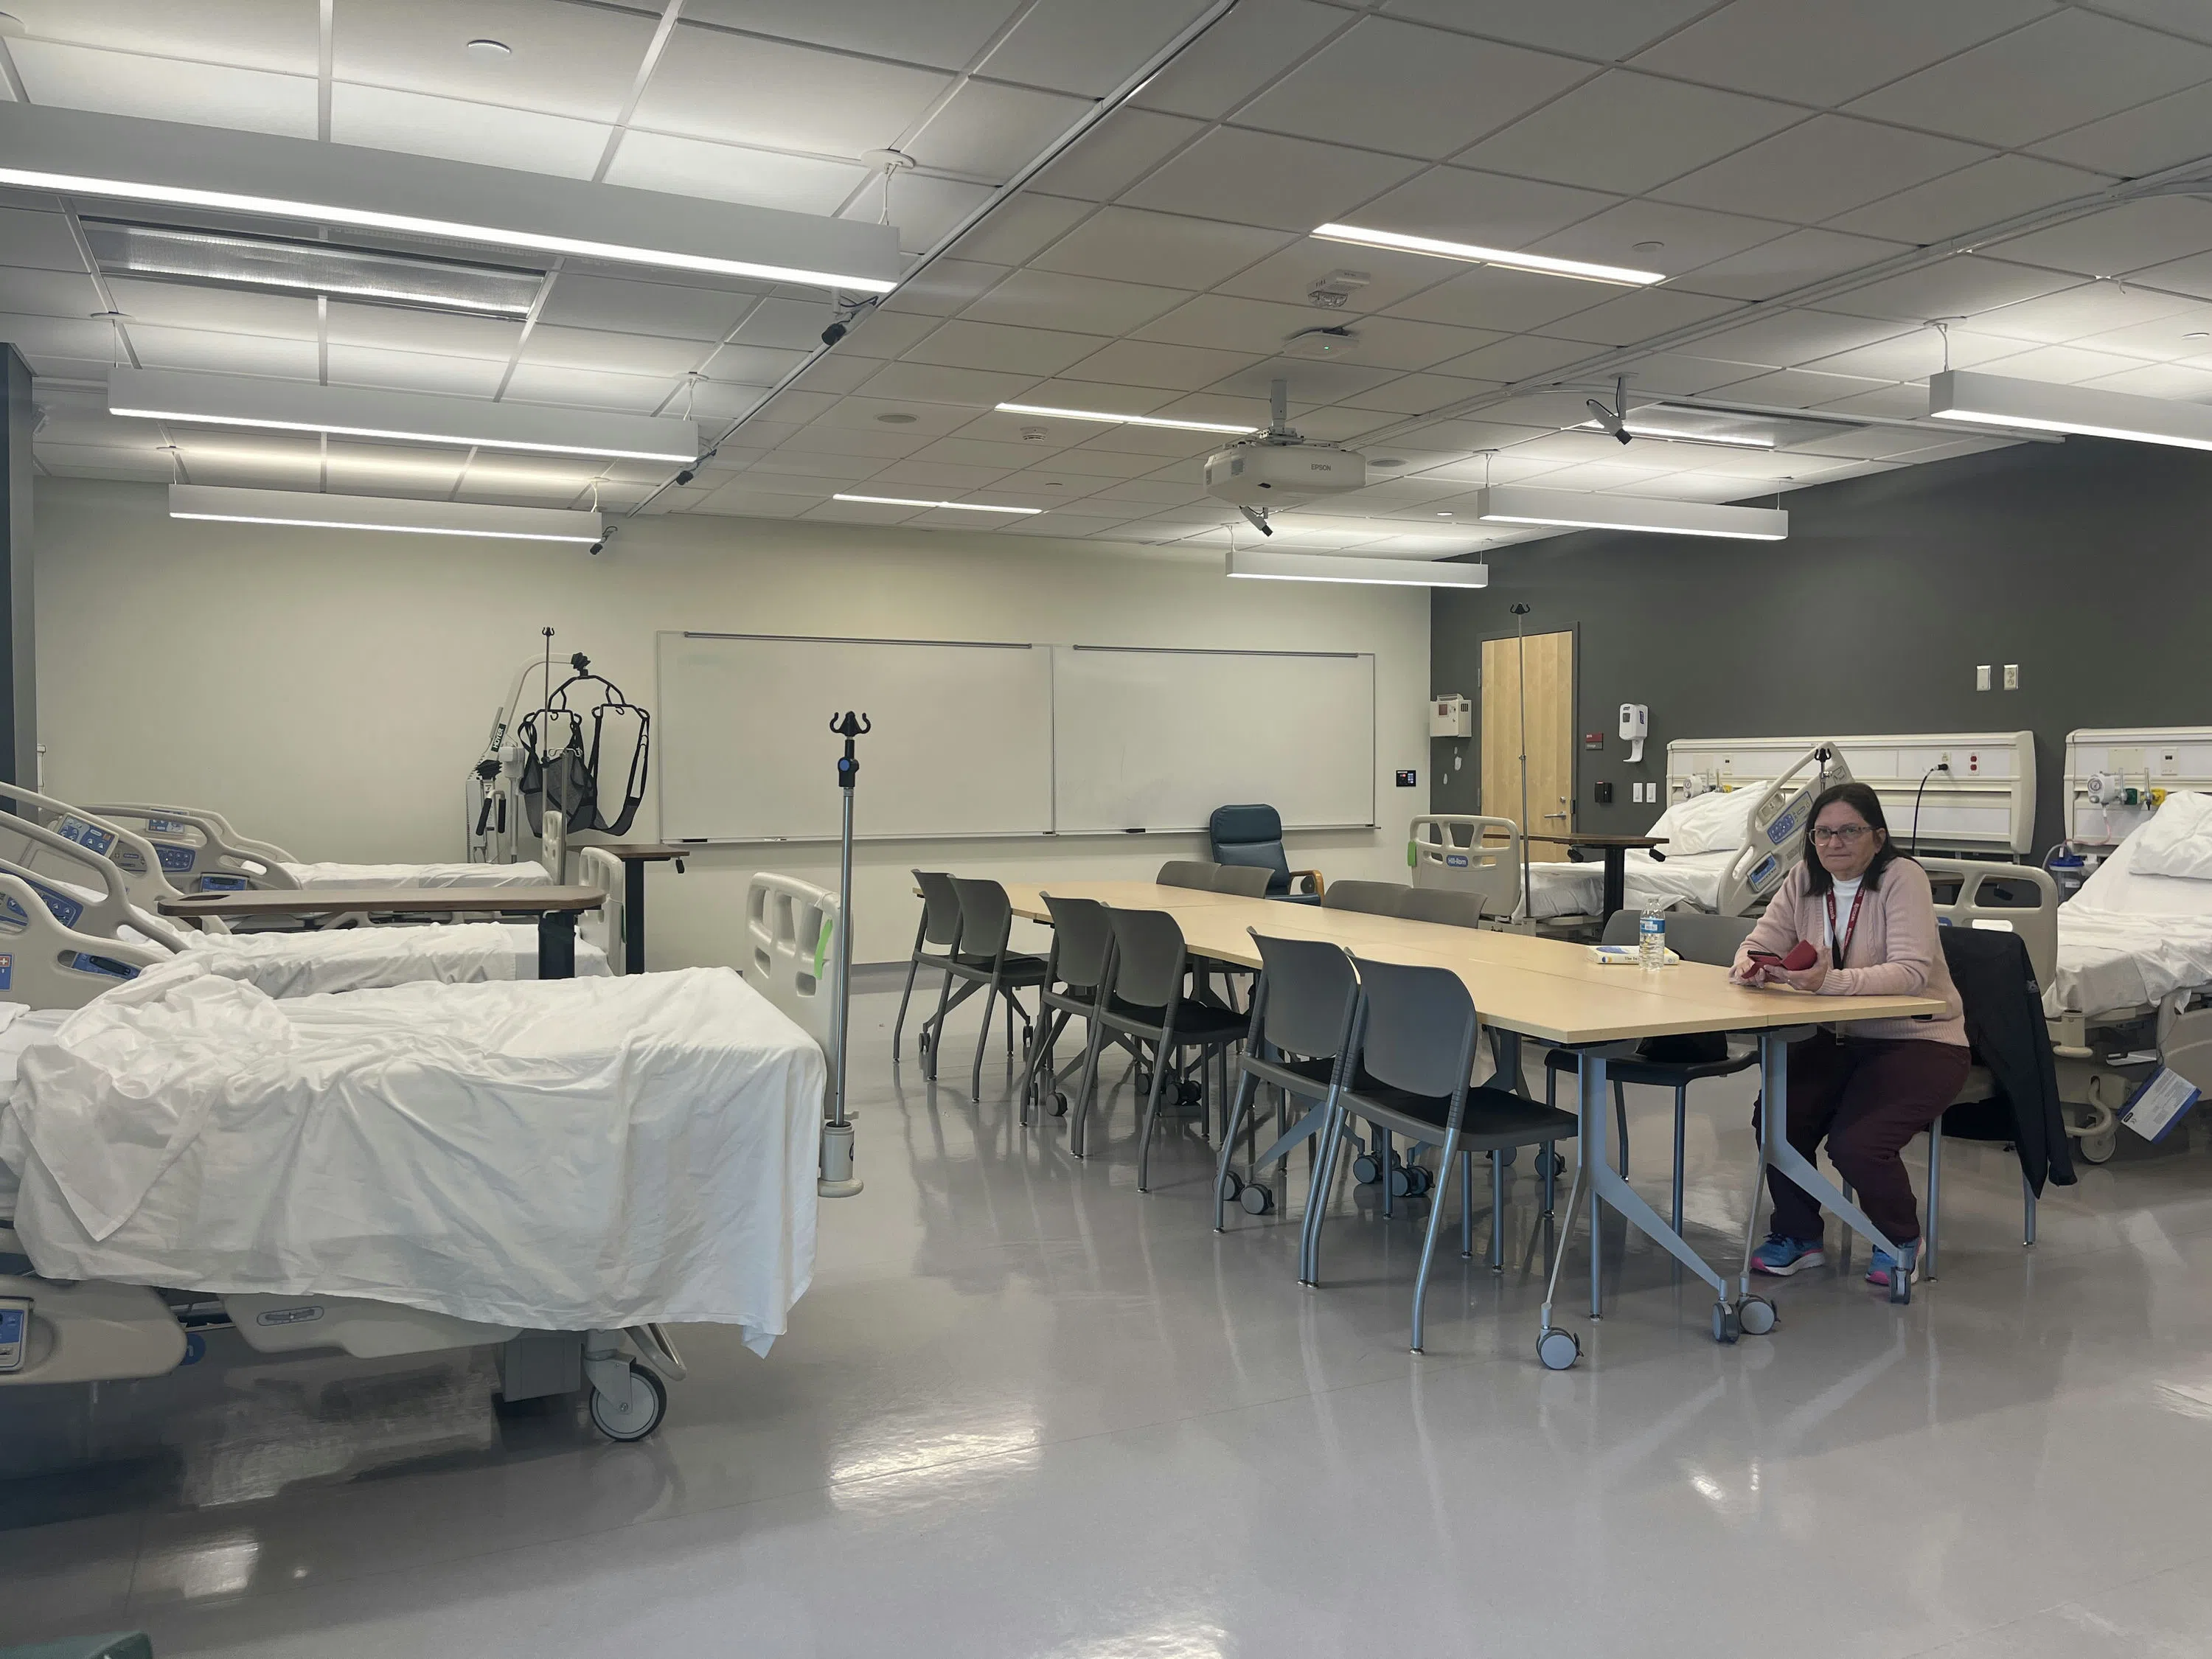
(1983, 806)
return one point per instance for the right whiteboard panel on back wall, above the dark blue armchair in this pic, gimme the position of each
(1156, 740)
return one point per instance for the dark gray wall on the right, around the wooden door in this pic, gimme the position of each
(2085, 563)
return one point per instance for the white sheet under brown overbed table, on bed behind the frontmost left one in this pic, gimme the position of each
(357, 959)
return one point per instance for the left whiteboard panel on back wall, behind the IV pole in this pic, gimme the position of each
(961, 747)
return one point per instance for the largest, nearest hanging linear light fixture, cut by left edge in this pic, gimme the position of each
(118, 158)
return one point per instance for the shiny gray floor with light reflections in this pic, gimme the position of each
(1027, 1410)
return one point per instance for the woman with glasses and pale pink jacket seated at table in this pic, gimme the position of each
(1872, 1085)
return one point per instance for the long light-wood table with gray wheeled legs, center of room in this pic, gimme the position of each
(1558, 994)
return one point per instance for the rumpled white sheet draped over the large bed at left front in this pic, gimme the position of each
(570, 1156)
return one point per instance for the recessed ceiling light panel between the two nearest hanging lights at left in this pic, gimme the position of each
(311, 269)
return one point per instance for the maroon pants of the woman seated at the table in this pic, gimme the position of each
(1868, 1098)
